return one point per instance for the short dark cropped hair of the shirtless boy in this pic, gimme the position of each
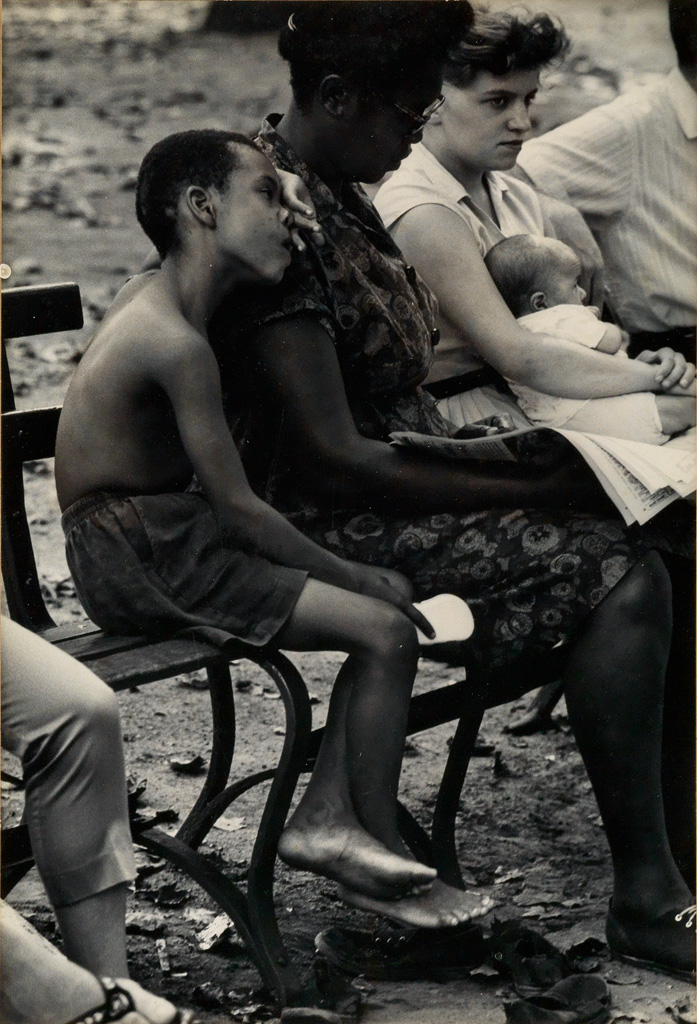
(205, 157)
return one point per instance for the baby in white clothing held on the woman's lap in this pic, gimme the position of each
(539, 280)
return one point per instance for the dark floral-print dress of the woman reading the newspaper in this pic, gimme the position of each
(531, 577)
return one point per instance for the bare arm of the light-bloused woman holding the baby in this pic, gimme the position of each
(446, 253)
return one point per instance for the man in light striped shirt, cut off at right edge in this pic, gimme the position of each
(631, 168)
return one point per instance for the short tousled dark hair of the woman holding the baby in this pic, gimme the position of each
(503, 42)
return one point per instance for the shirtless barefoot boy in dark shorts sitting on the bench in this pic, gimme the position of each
(143, 415)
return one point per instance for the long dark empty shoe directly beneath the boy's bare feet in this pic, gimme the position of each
(406, 955)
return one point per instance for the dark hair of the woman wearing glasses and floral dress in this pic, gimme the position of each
(376, 46)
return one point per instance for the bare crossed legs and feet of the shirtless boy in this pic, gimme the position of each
(345, 826)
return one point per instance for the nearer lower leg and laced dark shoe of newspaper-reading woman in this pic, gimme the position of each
(615, 707)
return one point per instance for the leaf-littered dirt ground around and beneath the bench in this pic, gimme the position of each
(89, 88)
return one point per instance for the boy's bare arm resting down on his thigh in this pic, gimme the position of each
(189, 374)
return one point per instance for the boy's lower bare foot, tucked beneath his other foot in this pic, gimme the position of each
(442, 907)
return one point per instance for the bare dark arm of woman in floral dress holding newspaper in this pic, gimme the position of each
(300, 376)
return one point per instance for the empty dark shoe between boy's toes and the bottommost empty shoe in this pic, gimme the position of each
(527, 959)
